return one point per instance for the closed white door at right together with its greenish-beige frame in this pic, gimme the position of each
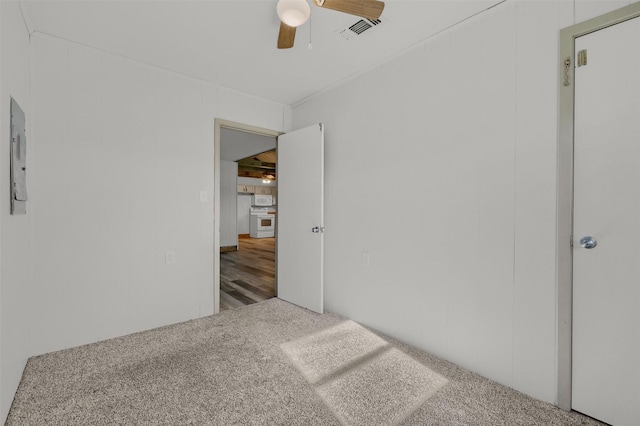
(597, 330)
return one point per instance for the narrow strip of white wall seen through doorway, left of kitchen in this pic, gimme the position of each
(228, 203)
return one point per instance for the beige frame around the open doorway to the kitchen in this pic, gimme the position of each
(219, 124)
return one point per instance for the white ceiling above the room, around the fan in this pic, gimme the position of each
(232, 43)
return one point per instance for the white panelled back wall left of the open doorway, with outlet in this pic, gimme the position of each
(118, 166)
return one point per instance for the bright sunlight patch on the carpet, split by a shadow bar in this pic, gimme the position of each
(361, 377)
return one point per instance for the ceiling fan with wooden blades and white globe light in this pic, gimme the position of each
(294, 13)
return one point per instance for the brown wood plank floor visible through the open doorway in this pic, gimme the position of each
(248, 275)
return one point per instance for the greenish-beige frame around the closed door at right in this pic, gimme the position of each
(564, 219)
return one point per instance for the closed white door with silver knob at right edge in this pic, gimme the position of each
(606, 278)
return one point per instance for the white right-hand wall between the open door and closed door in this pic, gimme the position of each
(467, 271)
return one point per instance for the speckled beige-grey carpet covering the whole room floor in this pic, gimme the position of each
(271, 363)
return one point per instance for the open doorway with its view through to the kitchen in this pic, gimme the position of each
(244, 267)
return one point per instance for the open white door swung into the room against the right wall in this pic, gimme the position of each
(301, 217)
